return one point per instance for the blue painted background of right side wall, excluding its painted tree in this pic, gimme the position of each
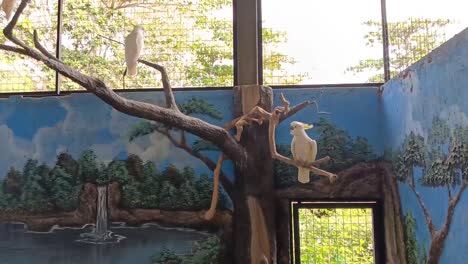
(432, 90)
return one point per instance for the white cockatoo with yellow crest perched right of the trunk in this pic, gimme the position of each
(303, 148)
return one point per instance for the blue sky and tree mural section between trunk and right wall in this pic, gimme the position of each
(344, 129)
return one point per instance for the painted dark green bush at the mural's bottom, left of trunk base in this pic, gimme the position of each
(206, 251)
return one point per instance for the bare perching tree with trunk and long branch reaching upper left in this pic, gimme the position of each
(251, 150)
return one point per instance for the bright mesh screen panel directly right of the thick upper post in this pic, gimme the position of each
(319, 42)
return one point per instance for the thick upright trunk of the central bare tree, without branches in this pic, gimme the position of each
(254, 181)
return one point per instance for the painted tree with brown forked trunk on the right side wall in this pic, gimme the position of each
(448, 170)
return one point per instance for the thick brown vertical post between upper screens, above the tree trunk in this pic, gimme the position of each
(246, 42)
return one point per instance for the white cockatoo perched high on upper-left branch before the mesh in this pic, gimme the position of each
(133, 46)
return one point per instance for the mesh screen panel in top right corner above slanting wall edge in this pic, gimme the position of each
(419, 26)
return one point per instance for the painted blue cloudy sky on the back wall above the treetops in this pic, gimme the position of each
(41, 128)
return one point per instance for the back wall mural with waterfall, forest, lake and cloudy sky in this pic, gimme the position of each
(70, 163)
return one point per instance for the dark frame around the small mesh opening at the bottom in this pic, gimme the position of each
(377, 219)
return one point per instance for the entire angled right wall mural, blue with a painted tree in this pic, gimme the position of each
(426, 137)
